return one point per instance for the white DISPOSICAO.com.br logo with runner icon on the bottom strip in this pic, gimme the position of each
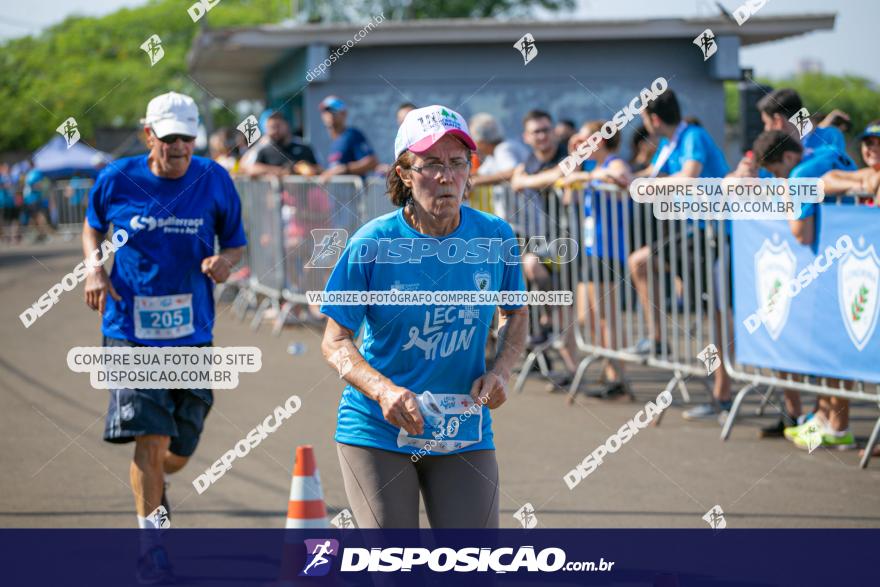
(442, 559)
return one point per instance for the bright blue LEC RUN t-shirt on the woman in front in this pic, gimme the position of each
(436, 348)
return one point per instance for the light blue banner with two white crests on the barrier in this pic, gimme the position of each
(809, 309)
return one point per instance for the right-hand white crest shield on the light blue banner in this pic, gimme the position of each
(858, 282)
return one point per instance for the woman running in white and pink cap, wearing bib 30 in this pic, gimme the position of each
(415, 415)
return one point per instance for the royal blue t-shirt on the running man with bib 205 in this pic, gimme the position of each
(171, 225)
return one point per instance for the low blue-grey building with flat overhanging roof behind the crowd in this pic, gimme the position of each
(583, 70)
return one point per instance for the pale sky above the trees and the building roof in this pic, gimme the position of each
(845, 50)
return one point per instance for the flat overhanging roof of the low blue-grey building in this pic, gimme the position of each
(247, 52)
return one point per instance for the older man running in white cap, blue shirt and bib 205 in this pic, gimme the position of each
(160, 293)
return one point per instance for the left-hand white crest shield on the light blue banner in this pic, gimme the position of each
(774, 268)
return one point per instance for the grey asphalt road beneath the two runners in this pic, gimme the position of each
(57, 472)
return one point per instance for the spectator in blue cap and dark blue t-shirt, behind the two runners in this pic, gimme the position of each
(350, 153)
